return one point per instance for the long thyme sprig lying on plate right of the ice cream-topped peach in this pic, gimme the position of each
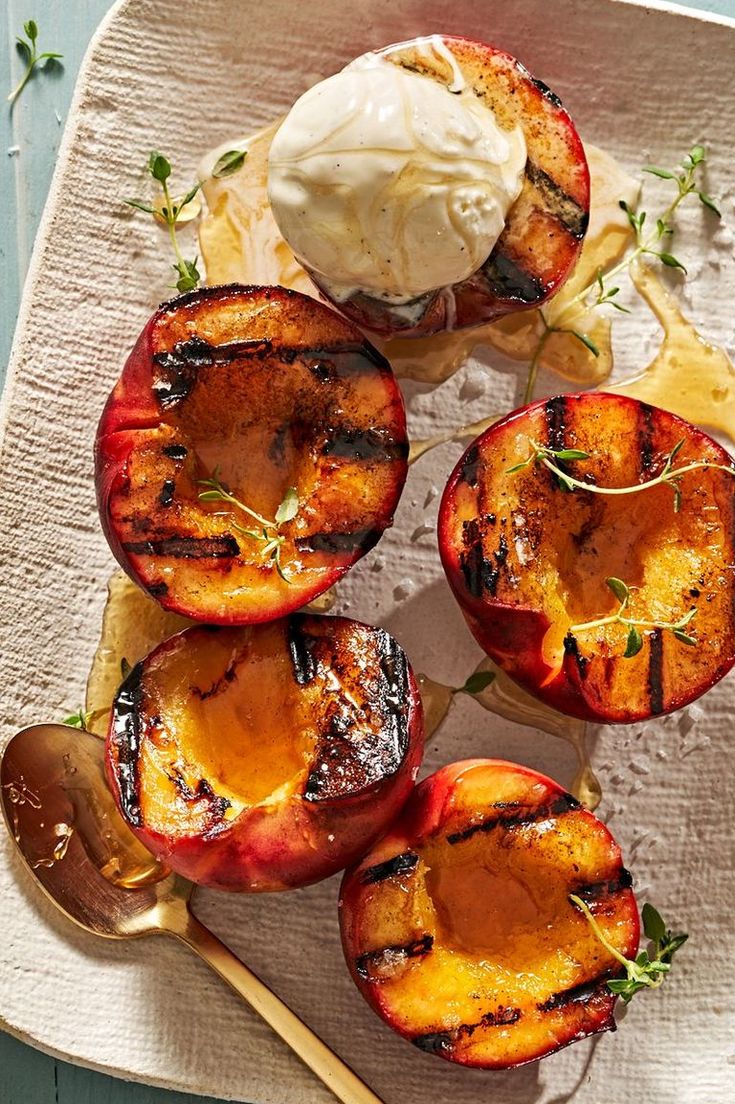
(603, 291)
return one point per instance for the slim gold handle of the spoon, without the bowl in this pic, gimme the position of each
(332, 1070)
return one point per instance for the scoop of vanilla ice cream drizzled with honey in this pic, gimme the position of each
(386, 182)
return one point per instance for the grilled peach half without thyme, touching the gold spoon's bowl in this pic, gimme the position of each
(270, 757)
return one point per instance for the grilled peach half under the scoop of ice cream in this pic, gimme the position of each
(546, 228)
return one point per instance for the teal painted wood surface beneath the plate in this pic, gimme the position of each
(30, 135)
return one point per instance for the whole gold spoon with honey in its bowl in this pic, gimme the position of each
(88, 862)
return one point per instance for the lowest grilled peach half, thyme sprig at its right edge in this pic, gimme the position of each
(459, 929)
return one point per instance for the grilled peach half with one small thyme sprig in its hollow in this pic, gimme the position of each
(273, 398)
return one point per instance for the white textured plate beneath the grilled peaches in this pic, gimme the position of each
(645, 82)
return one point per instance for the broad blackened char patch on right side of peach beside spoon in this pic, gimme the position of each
(355, 752)
